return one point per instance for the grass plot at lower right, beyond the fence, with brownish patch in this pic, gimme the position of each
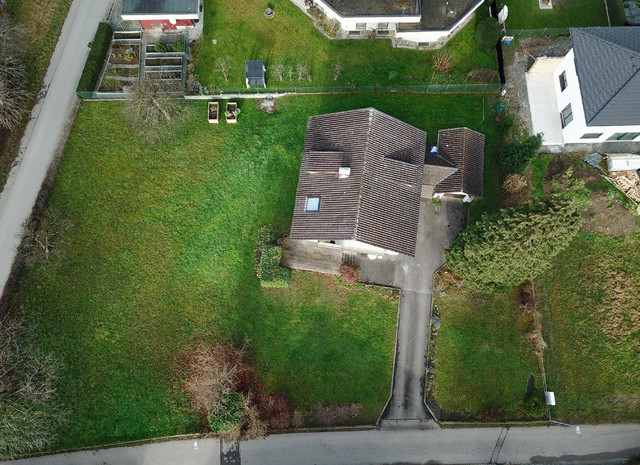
(592, 314)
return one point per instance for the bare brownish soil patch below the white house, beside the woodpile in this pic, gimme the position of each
(604, 213)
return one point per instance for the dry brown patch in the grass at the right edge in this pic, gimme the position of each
(620, 312)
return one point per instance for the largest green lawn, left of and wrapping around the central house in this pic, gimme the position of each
(161, 257)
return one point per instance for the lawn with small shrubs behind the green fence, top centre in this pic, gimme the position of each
(243, 33)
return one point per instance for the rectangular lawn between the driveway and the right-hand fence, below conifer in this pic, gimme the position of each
(484, 359)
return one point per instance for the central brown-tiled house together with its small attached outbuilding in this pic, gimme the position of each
(362, 175)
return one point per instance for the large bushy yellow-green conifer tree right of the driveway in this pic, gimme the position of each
(513, 245)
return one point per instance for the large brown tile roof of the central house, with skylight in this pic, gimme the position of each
(379, 203)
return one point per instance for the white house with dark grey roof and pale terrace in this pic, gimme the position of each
(593, 93)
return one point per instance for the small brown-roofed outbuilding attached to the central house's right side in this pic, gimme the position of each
(457, 169)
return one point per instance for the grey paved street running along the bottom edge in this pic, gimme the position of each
(548, 445)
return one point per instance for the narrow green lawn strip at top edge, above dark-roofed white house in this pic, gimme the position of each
(525, 14)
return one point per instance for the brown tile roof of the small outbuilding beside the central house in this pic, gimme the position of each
(464, 148)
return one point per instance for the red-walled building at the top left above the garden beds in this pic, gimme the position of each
(162, 14)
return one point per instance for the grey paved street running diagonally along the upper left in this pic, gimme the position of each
(48, 120)
